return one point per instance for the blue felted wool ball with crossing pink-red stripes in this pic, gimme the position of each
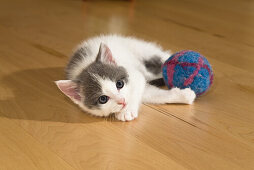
(188, 69)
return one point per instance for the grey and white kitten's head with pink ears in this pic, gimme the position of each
(101, 88)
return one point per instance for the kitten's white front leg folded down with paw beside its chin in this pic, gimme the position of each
(137, 86)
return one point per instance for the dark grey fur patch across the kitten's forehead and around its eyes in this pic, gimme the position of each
(90, 85)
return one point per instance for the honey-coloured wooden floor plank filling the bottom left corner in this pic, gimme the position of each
(18, 150)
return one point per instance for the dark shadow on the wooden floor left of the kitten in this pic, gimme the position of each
(32, 95)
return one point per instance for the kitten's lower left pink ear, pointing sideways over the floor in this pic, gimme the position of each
(70, 89)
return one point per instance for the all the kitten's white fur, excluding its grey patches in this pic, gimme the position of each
(129, 53)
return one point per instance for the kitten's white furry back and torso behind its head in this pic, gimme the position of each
(127, 52)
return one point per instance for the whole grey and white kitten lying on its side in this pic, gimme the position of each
(112, 74)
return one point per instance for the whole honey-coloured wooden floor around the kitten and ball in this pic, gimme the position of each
(41, 129)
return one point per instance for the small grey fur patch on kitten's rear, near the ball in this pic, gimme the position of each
(153, 65)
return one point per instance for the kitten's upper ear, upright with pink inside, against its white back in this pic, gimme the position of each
(105, 55)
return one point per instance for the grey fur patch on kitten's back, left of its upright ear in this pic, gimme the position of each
(76, 58)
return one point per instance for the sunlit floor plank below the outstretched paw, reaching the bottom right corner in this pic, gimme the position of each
(197, 146)
